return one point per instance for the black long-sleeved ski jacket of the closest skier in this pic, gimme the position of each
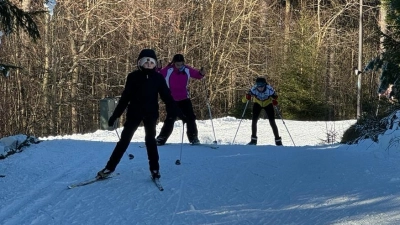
(140, 95)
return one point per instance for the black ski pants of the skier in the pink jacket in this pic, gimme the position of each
(186, 114)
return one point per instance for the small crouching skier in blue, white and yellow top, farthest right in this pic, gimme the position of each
(263, 97)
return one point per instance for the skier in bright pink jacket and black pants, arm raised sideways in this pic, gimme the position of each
(177, 76)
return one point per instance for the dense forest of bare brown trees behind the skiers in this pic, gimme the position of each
(306, 49)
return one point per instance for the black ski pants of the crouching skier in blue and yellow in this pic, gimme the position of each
(269, 109)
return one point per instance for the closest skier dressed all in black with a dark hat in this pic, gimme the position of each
(140, 96)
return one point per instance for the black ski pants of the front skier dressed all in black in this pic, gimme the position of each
(130, 127)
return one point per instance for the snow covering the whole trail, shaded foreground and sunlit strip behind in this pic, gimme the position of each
(310, 183)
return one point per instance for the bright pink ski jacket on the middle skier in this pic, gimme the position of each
(178, 81)
